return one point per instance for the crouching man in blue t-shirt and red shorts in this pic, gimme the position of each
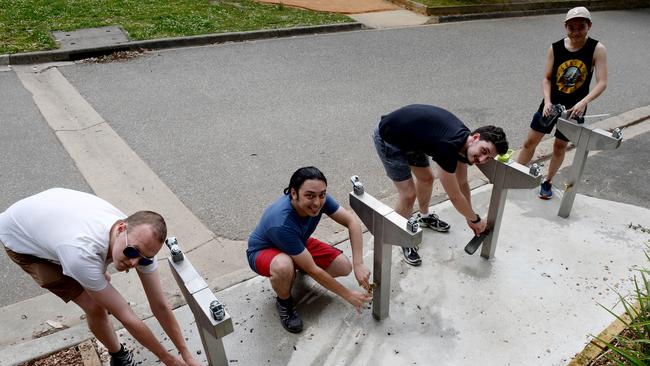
(282, 243)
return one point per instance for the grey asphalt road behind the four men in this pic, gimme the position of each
(224, 126)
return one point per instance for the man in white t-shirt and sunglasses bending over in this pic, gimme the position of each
(65, 240)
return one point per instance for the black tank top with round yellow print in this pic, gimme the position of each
(572, 72)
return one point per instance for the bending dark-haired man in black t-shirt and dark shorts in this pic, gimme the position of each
(406, 137)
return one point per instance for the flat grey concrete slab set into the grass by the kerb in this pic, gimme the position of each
(90, 37)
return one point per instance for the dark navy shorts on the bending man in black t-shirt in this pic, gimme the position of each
(397, 162)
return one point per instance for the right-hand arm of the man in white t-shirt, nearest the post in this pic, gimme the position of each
(163, 312)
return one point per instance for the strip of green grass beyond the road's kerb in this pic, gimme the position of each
(25, 25)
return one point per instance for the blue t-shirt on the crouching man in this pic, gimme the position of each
(281, 227)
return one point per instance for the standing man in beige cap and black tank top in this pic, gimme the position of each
(570, 65)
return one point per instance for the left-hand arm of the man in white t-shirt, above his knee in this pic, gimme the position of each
(110, 299)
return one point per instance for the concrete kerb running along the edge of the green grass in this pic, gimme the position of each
(201, 40)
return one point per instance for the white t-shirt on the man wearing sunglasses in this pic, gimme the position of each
(67, 227)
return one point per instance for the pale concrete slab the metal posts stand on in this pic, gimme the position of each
(535, 303)
